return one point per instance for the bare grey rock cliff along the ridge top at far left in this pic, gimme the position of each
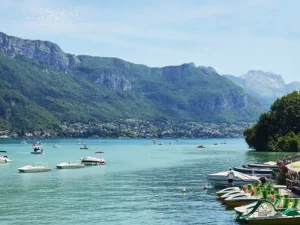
(43, 52)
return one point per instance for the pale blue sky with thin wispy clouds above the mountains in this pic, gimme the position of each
(232, 36)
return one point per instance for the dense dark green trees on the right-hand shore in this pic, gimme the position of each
(278, 129)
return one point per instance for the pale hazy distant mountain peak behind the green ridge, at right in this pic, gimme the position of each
(267, 86)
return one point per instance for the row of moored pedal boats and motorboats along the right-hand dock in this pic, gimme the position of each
(257, 202)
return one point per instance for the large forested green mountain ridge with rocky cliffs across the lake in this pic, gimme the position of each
(42, 87)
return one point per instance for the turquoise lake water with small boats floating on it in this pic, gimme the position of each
(140, 184)
